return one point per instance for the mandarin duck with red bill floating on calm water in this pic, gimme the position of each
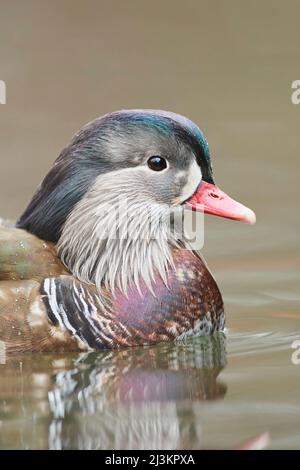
(142, 288)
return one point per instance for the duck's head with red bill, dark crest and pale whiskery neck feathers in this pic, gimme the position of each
(113, 169)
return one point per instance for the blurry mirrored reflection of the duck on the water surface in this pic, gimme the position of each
(130, 399)
